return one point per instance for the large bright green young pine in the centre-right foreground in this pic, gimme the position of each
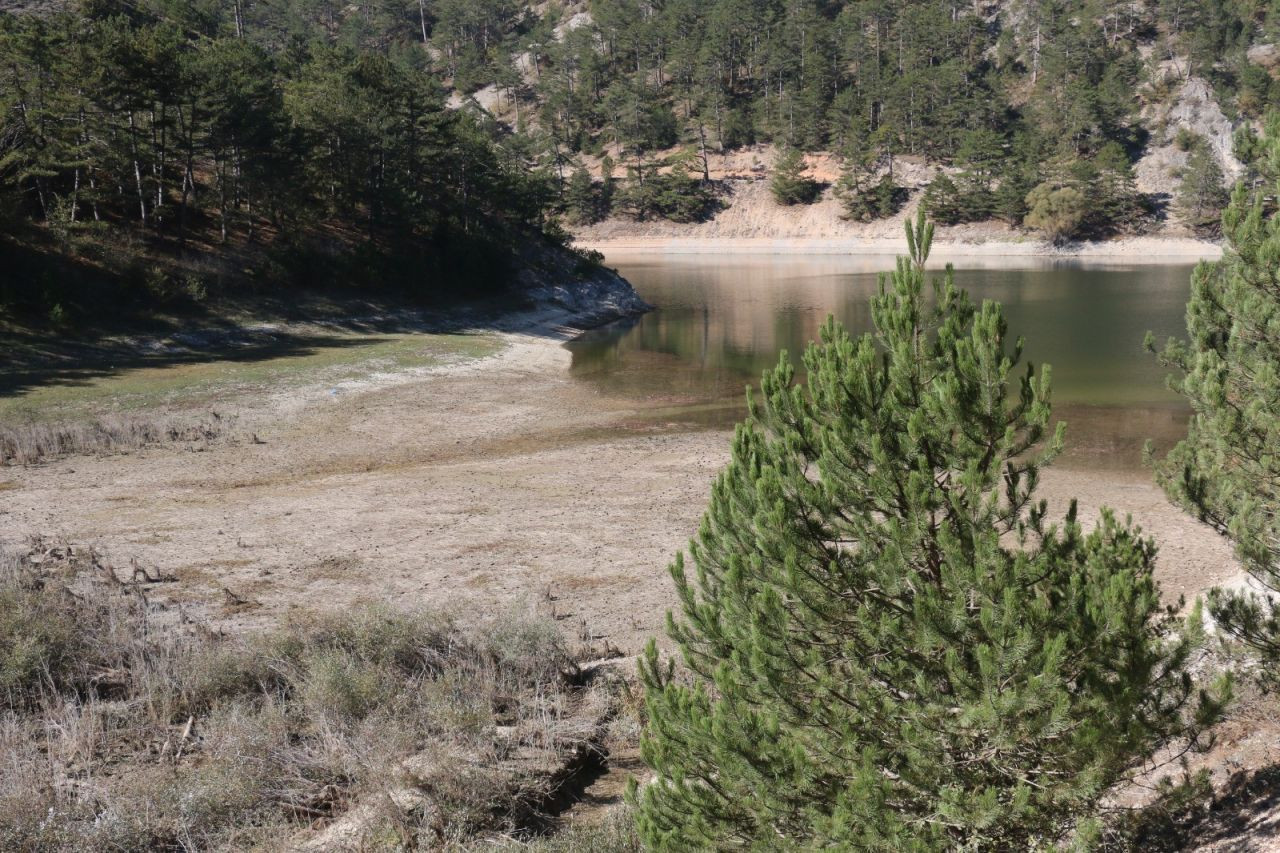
(888, 646)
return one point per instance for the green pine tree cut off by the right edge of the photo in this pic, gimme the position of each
(1228, 469)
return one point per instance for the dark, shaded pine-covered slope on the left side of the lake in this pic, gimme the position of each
(157, 152)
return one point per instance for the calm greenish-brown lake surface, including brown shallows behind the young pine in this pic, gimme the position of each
(723, 320)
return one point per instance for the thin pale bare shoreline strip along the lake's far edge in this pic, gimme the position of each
(1131, 250)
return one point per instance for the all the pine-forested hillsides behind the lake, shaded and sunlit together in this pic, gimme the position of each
(408, 139)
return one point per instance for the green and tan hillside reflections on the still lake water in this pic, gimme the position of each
(720, 323)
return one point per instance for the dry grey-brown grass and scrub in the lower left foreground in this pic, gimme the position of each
(125, 728)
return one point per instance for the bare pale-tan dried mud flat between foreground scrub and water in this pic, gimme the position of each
(500, 483)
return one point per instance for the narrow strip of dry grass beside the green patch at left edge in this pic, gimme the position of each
(31, 443)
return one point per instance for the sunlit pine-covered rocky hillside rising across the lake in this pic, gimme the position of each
(1030, 106)
